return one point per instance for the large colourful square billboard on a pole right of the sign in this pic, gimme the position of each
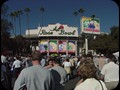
(90, 25)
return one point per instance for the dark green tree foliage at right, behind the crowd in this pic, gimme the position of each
(106, 43)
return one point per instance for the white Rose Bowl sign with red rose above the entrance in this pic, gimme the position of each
(58, 30)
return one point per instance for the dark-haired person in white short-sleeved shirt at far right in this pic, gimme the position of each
(110, 73)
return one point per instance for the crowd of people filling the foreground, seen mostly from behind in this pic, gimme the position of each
(38, 72)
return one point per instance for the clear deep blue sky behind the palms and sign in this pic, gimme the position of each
(61, 11)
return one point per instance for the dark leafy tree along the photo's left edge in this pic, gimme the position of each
(6, 27)
